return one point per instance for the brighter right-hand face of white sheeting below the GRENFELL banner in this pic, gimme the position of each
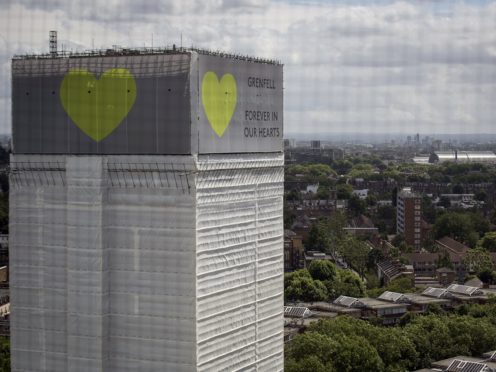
(240, 262)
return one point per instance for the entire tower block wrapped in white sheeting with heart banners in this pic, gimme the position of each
(146, 213)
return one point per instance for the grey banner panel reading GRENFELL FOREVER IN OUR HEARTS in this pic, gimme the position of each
(240, 105)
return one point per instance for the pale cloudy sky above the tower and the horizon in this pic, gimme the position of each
(415, 66)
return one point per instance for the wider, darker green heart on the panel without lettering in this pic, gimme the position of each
(97, 107)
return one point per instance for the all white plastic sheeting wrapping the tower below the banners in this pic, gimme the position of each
(149, 263)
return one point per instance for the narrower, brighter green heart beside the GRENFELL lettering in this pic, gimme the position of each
(219, 100)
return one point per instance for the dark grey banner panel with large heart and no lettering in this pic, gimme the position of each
(158, 122)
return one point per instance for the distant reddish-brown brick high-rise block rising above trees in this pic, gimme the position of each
(409, 217)
